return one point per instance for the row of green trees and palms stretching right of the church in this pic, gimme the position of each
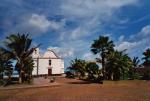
(115, 65)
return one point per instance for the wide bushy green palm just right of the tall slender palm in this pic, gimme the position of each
(117, 65)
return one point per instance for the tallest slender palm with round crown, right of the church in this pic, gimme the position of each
(102, 46)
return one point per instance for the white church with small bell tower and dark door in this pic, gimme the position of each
(48, 64)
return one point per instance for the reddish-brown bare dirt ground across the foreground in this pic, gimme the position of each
(76, 90)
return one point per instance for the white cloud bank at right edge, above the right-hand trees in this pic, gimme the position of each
(137, 43)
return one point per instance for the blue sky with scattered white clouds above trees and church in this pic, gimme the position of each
(70, 26)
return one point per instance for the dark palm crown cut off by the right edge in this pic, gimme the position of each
(146, 58)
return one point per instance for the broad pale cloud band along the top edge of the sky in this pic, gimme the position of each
(88, 8)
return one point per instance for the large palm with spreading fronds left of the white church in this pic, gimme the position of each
(19, 46)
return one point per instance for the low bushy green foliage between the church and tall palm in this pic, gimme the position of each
(84, 70)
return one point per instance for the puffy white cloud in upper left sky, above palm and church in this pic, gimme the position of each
(35, 25)
